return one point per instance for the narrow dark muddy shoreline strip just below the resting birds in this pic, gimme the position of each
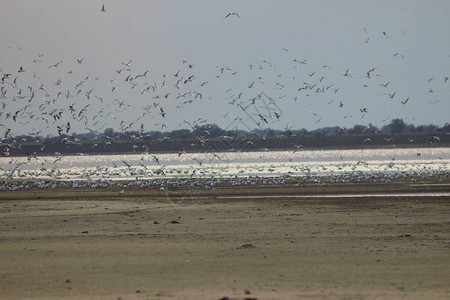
(306, 188)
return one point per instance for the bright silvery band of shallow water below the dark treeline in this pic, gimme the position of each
(226, 164)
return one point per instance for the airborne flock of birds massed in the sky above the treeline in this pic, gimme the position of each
(93, 104)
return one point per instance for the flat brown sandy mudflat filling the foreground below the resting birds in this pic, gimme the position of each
(197, 244)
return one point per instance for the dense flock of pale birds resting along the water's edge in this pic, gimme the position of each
(209, 182)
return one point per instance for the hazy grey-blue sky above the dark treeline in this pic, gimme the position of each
(311, 59)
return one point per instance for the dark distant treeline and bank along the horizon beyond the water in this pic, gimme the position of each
(210, 137)
